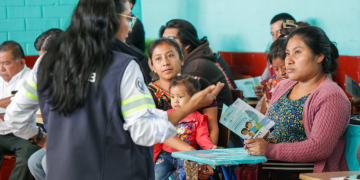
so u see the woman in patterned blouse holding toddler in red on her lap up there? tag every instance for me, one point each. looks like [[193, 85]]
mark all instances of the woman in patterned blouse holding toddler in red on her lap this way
[[166, 60]]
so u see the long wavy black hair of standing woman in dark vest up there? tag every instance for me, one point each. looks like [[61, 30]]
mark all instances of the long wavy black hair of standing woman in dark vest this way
[[84, 48]]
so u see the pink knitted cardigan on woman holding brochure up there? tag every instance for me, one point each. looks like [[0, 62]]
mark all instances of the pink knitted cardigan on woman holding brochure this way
[[326, 116]]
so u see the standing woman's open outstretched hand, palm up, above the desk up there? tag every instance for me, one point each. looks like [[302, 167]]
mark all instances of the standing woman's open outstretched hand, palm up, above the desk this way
[[206, 96]]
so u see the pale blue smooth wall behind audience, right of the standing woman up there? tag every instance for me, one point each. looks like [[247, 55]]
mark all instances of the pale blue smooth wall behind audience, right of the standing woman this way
[[244, 26]]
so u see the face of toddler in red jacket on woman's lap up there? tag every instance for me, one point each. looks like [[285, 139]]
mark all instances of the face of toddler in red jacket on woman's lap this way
[[179, 96]]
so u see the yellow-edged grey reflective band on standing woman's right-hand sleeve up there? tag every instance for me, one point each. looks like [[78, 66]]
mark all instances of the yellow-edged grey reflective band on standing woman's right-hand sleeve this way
[[137, 103]]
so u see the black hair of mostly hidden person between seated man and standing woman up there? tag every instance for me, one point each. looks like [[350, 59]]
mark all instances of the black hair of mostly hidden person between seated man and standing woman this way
[[44, 41]]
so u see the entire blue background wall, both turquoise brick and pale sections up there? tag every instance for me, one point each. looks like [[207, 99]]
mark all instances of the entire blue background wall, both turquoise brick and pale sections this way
[[230, 25]]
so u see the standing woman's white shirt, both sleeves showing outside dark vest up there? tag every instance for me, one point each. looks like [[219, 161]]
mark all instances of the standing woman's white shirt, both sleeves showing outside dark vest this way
[[146, 124]]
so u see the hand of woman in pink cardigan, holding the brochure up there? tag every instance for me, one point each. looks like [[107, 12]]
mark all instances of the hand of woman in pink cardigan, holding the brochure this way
[[255, 146]]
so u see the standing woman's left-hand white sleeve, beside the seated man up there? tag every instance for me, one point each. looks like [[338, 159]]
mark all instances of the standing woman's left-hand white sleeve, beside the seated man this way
[[20, 115]]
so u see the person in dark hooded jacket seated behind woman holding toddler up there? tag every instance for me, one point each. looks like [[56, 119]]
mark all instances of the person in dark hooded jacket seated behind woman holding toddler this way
[[198, 60]]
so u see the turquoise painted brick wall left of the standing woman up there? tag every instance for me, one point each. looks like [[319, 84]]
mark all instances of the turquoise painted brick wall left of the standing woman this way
[[24, 20]]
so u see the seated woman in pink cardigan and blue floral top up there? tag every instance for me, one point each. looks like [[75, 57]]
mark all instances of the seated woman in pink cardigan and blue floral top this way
[[311, 112]]
